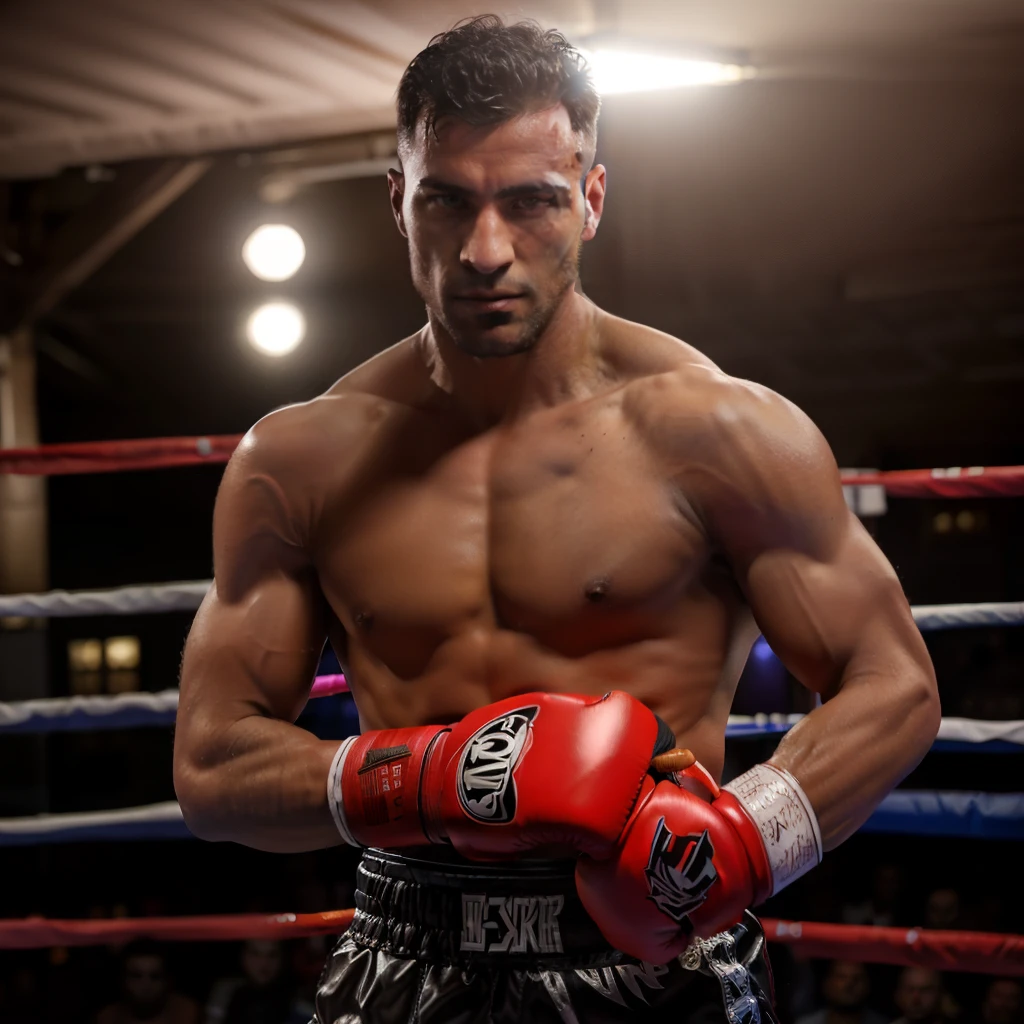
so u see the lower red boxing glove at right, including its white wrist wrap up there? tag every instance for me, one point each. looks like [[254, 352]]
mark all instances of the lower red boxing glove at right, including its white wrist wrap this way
[[694, 858]]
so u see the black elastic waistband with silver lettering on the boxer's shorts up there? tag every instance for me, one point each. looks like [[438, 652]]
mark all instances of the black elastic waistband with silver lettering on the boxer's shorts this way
[[524, 915]]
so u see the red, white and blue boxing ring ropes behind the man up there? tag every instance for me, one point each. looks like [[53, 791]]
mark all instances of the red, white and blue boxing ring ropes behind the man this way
[[918, 813]]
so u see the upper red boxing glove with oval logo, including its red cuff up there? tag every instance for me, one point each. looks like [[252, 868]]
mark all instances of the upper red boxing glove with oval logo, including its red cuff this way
[[542, 774]]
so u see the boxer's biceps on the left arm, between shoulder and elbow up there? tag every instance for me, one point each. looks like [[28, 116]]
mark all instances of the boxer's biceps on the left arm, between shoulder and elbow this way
[[258, 654]]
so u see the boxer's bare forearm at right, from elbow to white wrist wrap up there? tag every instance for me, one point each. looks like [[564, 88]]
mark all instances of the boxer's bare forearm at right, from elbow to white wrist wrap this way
[[848, 754]]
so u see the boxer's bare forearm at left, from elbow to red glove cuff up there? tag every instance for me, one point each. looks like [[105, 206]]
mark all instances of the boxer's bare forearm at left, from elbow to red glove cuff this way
[[262, 783]]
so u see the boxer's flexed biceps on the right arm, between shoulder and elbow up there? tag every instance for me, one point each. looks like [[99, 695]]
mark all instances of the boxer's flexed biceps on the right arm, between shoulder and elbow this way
[[823, 613]]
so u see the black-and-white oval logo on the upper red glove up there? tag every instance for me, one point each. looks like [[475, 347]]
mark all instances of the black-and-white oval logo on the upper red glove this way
[[487, 789]]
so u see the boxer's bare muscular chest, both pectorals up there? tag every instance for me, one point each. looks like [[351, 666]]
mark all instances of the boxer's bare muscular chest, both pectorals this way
[[564, 530]]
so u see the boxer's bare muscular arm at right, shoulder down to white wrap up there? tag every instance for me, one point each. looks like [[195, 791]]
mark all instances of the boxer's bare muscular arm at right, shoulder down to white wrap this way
[[827, 601]]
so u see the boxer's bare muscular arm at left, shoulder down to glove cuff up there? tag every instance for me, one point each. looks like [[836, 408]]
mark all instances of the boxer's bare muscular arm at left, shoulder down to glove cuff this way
[[243, 772]]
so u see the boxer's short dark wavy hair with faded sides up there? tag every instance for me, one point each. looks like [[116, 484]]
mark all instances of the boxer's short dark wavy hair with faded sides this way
[[485, 72]]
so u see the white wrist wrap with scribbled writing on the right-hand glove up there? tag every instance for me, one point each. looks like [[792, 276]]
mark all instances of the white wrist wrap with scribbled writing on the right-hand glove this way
[[786, 820]]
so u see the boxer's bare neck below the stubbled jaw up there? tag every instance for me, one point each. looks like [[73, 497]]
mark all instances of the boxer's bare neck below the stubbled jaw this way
[[562, 366]]
